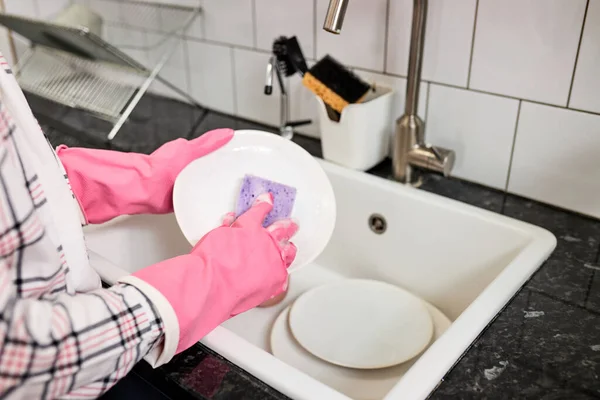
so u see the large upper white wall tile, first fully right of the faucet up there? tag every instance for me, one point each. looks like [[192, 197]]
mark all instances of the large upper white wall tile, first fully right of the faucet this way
[[527, 48]]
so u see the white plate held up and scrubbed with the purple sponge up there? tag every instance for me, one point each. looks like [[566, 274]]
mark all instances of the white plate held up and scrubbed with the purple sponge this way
[[208, 188]]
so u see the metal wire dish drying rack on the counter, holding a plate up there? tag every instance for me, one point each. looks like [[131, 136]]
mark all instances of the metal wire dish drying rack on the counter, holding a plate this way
[[75, 66]]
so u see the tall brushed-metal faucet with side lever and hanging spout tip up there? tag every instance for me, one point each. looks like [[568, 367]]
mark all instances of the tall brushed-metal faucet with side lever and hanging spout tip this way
[[410, 149]]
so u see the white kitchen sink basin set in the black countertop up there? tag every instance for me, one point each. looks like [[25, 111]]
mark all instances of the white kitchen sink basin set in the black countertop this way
[[466, 261]]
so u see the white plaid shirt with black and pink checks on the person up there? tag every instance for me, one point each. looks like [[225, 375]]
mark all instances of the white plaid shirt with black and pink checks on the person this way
[[54, 343]]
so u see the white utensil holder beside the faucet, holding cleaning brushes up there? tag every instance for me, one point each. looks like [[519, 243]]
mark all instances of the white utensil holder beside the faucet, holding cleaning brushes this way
[[361, 138]]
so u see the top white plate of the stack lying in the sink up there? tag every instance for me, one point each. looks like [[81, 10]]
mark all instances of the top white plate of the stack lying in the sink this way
[[359, 323]]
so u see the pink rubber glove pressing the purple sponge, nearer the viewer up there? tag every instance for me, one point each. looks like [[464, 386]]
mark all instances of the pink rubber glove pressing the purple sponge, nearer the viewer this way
[[231, 269]]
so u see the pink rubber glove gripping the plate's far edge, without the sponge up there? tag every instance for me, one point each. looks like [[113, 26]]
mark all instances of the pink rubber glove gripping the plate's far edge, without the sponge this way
[[111, 183]]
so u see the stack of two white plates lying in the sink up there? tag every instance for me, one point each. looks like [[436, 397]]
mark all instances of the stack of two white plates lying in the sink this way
[[356, 336]]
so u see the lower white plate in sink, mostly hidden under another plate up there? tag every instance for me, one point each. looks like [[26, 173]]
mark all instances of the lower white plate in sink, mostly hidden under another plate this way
[[358, 384]]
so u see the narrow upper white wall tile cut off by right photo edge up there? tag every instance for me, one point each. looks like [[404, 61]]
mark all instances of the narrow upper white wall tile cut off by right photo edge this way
[[586, 85]]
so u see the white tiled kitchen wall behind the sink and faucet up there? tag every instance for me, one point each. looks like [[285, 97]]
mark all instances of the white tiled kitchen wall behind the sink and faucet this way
[[482, 57]]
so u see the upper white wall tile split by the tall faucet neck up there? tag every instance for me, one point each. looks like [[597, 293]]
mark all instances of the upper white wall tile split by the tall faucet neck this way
[[448, 36]]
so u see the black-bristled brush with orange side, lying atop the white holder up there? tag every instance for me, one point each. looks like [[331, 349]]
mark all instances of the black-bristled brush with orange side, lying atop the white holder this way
[[335, 84]]
